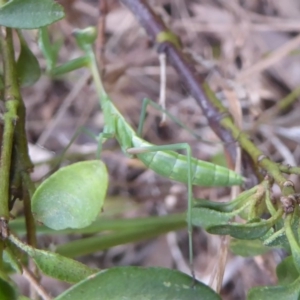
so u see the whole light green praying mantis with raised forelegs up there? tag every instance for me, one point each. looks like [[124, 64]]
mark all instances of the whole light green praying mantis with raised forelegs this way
[[162, 159]]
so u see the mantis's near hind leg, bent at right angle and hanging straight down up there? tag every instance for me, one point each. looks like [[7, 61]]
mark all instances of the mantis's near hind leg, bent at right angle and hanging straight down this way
[[187, 148]]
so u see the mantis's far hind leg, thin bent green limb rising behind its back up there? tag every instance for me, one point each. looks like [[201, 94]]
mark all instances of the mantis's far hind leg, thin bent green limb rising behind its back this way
[[156, 106]]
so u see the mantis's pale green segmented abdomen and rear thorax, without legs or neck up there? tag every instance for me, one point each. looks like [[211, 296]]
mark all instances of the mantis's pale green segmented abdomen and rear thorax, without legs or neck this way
[[169, 164]]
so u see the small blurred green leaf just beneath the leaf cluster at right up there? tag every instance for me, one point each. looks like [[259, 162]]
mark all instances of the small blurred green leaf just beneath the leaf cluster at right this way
[[248, 248]]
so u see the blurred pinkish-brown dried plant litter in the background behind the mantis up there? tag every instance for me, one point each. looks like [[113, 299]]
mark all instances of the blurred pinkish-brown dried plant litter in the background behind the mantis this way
[[249, 54]]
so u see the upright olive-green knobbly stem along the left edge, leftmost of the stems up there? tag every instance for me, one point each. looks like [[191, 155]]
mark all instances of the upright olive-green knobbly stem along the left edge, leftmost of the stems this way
[[11, 99]]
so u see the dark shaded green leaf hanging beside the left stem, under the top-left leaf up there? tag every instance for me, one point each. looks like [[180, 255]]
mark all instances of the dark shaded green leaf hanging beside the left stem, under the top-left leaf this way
[[28, 67]]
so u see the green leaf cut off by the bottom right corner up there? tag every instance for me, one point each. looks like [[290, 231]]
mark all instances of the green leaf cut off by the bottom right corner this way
[[286, 292]]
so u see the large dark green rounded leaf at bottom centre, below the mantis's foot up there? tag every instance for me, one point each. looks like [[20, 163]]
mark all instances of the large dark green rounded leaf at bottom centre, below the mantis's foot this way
[[136, 283]]
